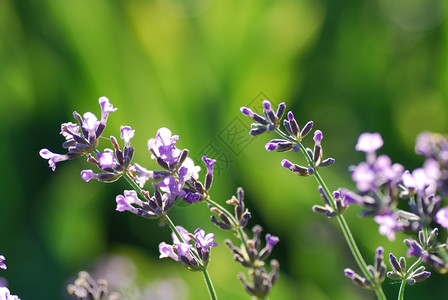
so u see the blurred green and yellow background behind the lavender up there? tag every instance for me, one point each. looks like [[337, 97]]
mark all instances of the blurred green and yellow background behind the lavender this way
[[351, 66]]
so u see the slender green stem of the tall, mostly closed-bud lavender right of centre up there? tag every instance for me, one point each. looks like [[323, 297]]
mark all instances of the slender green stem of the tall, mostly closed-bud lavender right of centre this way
[[341, 221]]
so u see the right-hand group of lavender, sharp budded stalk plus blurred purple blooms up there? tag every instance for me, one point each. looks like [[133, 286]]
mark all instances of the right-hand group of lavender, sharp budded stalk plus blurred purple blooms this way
[[380, 187]]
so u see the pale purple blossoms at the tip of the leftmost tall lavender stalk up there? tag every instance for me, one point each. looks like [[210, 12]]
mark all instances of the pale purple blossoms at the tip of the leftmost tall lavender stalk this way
[[82, 139]]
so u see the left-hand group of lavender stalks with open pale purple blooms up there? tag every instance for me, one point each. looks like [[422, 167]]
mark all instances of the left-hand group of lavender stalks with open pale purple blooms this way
[[176, 180]]
